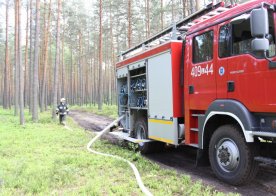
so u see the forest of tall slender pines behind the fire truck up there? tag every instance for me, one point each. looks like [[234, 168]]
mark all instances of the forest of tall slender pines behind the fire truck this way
[[52, 48]]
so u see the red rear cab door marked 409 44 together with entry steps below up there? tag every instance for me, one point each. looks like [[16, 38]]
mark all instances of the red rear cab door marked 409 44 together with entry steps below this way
[[200, 83]]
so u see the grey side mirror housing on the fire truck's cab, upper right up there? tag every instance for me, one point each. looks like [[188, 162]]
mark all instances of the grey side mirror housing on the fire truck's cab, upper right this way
[[259, 29]]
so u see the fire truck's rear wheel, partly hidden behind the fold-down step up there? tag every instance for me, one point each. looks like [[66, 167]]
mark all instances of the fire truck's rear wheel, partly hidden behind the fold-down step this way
[[141, 131]]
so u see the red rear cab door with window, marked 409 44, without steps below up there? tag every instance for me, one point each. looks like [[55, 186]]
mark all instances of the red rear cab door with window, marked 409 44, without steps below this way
[[201, 69]]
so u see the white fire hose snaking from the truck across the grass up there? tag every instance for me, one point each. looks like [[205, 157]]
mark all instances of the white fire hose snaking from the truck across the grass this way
[[135, 170]]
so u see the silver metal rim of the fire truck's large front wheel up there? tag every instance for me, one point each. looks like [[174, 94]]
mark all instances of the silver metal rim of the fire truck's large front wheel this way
[[227, 155]]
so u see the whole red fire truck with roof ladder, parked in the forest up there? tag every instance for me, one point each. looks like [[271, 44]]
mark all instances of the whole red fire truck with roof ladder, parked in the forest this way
[[208, 81]]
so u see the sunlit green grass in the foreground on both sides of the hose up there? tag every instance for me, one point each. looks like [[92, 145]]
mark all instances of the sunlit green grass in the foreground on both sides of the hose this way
[[45, 158]]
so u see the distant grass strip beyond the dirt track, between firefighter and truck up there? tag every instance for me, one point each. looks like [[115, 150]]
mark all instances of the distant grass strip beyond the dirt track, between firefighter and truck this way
[[107, 110]]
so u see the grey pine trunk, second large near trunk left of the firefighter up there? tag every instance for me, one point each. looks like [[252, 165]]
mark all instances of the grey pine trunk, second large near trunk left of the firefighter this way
[[36, 56]]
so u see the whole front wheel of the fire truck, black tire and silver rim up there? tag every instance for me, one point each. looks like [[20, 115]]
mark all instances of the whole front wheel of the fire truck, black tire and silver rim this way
[[231, 158]]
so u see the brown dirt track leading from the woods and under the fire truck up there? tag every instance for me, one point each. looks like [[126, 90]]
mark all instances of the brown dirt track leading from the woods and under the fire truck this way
[[182, 161]]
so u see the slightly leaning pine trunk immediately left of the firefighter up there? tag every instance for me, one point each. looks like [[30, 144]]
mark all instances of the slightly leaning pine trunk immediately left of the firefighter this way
[[54, 101]]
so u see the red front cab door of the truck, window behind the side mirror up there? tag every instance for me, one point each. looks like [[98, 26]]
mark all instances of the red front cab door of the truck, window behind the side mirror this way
[[250, 80]]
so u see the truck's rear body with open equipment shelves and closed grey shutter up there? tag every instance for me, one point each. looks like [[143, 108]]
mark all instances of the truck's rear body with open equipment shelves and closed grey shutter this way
[[154, 94]]
